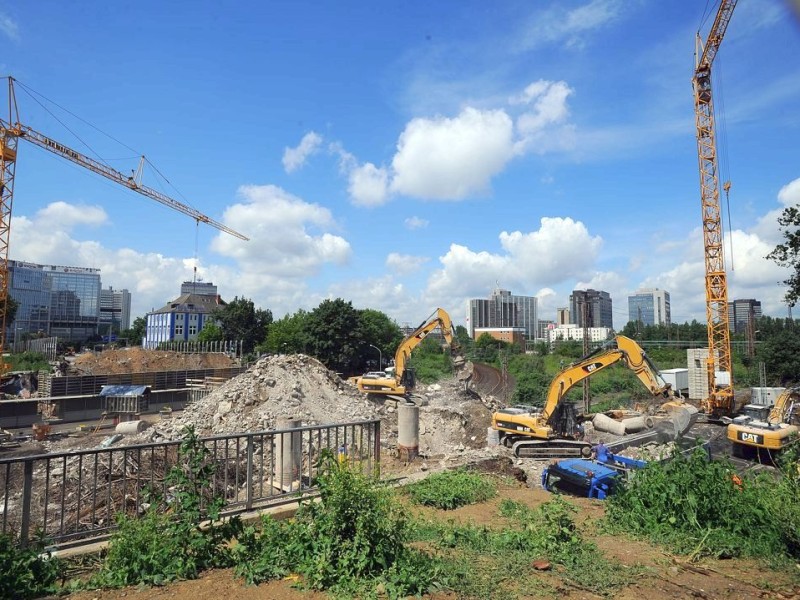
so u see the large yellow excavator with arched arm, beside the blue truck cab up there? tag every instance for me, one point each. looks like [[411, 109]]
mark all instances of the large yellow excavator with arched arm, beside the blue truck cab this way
[[555, 431]]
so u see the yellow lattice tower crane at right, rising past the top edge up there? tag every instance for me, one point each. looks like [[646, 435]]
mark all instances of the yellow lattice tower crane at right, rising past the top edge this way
[[719, 399]]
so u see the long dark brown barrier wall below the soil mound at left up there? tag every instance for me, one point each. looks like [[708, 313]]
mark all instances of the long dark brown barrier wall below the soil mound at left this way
[[89, 385]]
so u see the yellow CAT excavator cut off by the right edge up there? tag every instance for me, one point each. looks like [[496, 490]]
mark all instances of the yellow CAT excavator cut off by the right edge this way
[[751, 436]]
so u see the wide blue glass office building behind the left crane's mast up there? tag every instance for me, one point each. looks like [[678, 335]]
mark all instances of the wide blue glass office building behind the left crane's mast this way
[[54, 300]]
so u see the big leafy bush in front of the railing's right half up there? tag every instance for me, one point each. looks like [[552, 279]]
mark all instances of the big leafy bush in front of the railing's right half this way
[[352, 542]]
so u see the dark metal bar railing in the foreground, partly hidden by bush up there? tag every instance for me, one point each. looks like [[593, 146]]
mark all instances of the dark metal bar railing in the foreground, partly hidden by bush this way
[[74, 498]]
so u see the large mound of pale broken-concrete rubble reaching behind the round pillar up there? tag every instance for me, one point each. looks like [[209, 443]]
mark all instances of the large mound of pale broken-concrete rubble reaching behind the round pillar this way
[[299, 387]]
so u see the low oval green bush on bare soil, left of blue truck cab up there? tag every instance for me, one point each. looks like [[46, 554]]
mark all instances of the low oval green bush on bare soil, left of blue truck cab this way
[[452, 489]]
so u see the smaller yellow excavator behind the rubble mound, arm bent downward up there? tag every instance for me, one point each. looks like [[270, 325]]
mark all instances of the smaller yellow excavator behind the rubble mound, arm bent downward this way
[[398, 381]]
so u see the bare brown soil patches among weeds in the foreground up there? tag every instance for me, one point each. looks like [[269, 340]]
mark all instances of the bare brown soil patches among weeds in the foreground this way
[[663, 576]]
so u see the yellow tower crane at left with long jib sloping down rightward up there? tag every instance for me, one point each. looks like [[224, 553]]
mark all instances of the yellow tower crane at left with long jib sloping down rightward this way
[[11, 132]]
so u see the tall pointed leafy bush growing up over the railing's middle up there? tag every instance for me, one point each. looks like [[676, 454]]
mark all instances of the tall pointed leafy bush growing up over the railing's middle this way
[[168, 542]]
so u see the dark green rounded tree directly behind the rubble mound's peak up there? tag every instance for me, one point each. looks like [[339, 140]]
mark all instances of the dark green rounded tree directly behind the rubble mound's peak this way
[[332, 331]]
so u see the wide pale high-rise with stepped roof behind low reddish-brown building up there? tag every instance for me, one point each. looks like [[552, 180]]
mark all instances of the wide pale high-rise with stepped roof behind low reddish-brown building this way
[[503, 309]]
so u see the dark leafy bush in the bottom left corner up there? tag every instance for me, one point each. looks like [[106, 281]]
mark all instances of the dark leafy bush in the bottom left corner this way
[[27, 572]]
